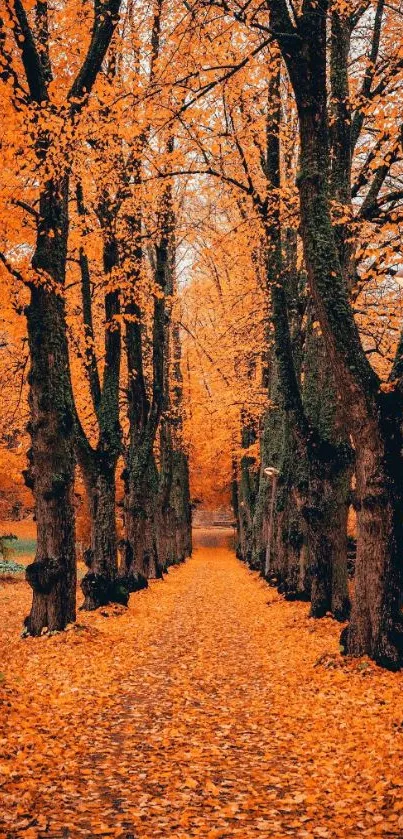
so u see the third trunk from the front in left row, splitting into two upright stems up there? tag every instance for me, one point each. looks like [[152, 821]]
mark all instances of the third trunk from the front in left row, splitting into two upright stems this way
[[144, 414]]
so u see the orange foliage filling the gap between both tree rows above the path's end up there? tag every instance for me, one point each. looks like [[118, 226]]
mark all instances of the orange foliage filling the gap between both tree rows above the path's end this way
[[223, 341]]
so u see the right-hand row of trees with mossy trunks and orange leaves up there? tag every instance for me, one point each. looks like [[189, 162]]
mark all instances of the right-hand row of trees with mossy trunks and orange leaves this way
[[307, 140]]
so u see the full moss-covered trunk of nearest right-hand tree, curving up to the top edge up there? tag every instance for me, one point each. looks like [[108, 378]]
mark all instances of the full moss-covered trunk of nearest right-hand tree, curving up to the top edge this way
[[371, 417]]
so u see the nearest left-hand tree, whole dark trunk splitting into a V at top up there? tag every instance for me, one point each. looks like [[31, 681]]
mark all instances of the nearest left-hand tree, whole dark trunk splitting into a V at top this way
[[51, 472]]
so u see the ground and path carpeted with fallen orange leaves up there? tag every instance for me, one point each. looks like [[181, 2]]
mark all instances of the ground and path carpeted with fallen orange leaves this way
[[209, 708]]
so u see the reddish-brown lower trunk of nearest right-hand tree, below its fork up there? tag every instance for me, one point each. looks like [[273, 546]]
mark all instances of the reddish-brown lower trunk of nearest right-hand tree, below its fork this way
[[376, 625]]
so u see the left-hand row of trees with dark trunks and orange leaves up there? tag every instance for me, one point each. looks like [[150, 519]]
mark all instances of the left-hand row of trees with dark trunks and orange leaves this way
[[105, 379]]
